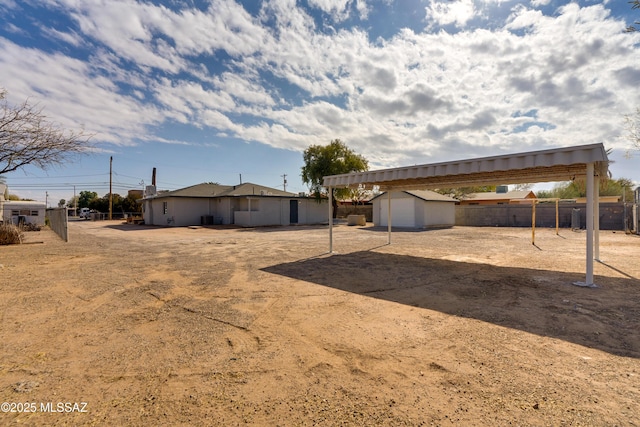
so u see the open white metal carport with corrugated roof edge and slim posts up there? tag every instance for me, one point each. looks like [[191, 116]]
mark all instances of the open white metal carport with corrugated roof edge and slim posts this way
[[561, 164]]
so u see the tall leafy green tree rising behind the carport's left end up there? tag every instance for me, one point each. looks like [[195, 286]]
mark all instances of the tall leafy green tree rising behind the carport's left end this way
[[333, 159]]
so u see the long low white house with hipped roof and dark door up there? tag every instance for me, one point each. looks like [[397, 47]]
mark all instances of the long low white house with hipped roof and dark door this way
[[246, 205]]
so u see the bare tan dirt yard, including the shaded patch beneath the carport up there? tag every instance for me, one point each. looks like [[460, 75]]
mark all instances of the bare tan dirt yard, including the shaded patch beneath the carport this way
[[224, 326]]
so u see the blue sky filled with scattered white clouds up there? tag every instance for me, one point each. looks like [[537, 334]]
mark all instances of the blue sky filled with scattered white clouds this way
[[234, 91]]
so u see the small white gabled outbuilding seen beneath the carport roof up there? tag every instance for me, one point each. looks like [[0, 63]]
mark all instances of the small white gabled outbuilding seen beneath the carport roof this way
[[414, 209]]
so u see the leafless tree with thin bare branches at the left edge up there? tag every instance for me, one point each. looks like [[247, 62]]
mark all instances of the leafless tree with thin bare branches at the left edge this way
[[28, 138]]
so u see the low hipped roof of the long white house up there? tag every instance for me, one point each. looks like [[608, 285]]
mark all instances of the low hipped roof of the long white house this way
[[207, 190]]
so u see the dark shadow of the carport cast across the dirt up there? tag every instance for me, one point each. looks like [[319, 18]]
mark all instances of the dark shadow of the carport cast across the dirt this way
[[537, 301]]
